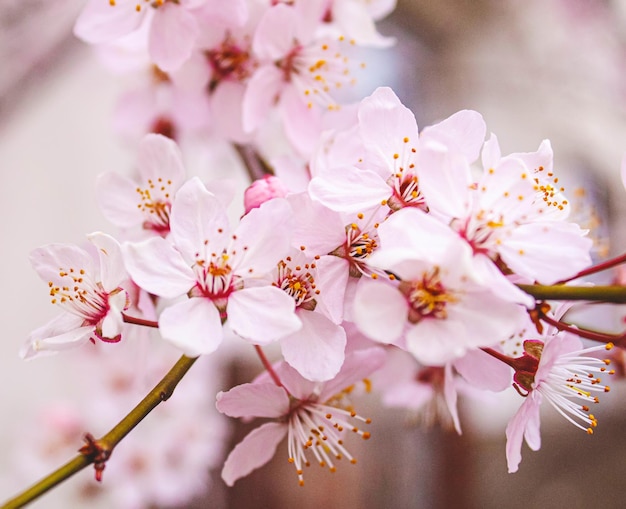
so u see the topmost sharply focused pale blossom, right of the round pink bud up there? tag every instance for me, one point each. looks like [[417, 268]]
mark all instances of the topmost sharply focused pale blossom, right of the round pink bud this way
[[379, 166]]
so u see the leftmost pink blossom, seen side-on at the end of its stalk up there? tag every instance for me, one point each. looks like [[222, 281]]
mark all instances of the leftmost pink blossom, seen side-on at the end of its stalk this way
[[92, 298]]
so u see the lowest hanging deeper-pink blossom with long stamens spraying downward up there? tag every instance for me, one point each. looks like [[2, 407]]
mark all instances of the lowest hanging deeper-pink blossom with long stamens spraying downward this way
[[311, 415]]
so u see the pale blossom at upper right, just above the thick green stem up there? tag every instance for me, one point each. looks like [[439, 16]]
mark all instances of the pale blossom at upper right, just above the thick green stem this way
[[504, 218]]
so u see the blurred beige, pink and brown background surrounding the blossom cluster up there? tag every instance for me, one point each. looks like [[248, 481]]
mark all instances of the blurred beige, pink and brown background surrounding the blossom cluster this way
[[536, 69]]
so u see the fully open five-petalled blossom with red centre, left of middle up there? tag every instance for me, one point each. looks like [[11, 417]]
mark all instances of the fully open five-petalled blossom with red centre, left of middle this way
[[219, 272]]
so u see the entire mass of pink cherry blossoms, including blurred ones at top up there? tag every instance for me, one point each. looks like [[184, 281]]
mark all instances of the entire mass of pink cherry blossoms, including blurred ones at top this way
[[369, 250]]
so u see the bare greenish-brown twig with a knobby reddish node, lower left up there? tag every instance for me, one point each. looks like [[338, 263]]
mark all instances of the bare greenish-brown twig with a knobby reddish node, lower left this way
[[161, 392]]
